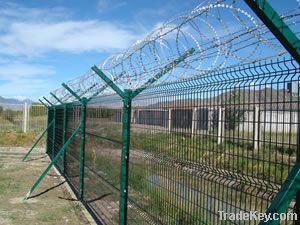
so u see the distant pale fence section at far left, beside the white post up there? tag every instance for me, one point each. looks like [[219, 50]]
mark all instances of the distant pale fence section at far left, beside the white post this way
[[11, 117]]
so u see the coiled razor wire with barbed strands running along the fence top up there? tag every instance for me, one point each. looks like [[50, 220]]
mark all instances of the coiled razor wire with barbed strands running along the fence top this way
[[221, 33]]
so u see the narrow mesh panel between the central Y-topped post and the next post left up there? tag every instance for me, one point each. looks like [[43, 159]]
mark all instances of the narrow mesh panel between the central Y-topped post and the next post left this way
[[102, 157]]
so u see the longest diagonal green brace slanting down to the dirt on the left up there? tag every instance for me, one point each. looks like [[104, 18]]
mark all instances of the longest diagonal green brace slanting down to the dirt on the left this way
[[53, 162]]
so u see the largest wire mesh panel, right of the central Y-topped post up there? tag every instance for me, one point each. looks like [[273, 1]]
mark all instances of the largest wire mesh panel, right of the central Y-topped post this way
[[227, 144]]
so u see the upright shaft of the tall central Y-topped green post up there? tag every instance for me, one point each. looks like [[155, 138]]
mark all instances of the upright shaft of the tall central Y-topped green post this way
[[125, 157]]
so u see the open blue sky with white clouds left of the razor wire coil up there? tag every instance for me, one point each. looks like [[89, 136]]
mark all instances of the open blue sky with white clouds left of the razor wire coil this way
[[45, 43]]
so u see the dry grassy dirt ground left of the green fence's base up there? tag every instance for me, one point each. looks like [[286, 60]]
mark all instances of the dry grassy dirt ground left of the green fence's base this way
[[51, 202]]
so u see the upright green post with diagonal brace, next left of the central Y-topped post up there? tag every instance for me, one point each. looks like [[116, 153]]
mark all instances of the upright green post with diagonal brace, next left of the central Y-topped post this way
[[82, 147]]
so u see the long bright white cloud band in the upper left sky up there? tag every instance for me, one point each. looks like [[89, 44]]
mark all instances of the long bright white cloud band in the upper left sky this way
[[33, 39]]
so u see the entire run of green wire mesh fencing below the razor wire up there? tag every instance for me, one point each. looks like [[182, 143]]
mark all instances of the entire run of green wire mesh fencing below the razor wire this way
[[224, 141]]
